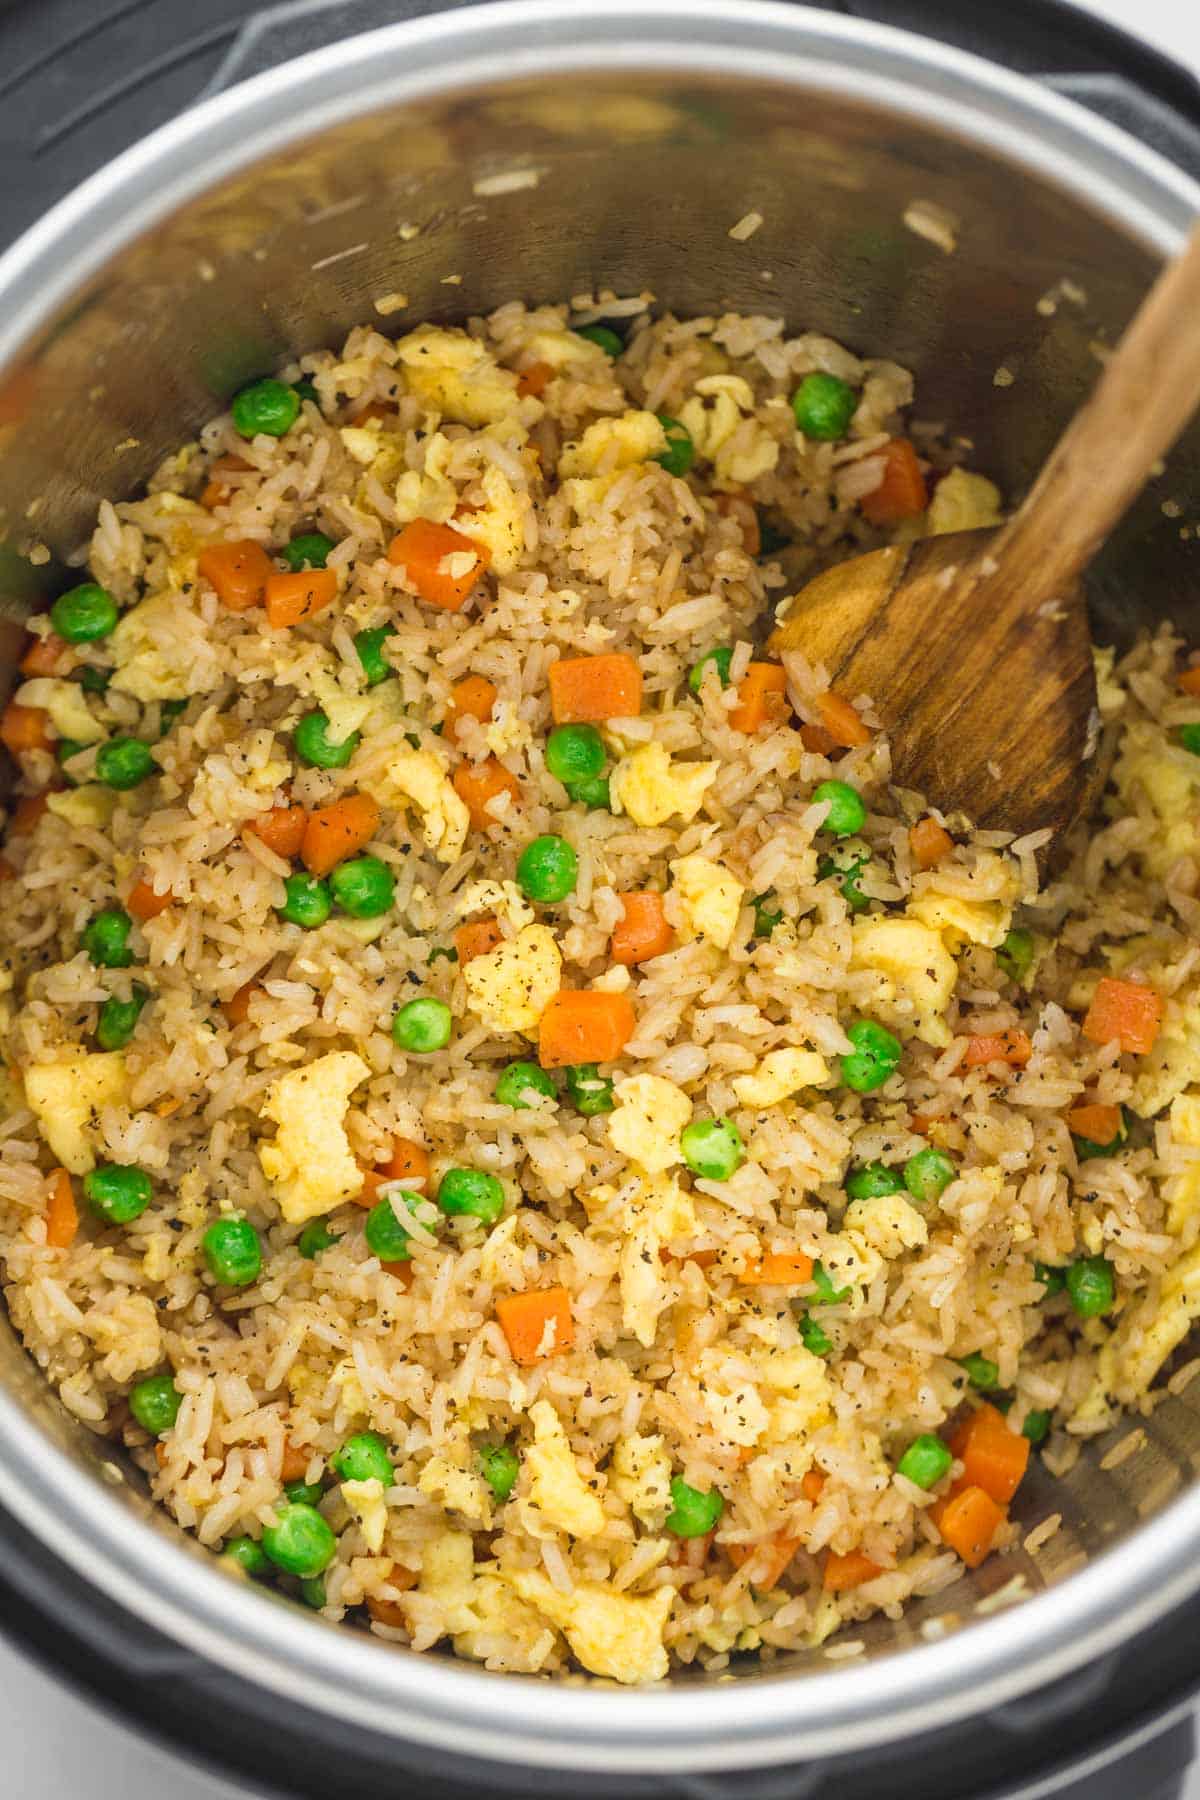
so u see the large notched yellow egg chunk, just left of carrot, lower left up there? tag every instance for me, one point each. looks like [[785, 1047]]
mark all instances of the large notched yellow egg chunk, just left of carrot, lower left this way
[[310, 1164]]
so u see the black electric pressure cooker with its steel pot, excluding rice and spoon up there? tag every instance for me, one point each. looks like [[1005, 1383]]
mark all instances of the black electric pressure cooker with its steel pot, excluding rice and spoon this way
[[983, 195]]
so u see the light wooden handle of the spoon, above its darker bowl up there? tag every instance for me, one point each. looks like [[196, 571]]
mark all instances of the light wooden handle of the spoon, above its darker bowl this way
[[1143, 400]]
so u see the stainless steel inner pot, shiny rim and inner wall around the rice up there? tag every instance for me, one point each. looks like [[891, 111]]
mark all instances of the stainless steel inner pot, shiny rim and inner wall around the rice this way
[[550, 152]]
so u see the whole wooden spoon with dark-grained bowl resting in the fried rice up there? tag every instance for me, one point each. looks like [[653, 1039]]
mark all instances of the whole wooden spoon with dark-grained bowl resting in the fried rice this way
[[974, 647]]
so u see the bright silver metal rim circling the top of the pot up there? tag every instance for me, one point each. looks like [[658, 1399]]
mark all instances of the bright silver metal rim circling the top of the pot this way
[[177, 1590]]
